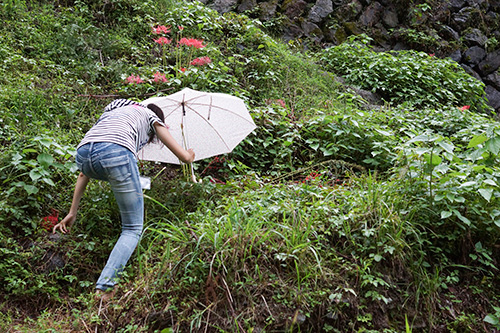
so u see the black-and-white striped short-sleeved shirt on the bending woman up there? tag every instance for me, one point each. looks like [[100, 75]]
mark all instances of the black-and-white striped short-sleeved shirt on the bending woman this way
[[127, 124]]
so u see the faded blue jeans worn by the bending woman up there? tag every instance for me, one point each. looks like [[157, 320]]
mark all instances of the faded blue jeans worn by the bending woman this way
[[118, 166]]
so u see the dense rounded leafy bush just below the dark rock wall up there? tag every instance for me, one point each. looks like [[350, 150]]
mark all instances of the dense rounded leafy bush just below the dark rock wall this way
[[408, 77]]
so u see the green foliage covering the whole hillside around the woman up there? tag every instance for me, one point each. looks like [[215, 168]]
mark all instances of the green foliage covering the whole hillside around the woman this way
[[332, 215]]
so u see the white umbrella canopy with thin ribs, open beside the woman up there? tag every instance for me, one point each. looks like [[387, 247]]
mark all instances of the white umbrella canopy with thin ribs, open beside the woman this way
[[210, 123]]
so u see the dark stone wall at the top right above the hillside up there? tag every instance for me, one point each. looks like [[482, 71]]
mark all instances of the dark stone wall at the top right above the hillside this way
[[468, 31]]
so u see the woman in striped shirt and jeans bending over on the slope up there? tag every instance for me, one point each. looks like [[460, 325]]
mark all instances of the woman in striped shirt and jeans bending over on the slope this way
[[109, 152]]
